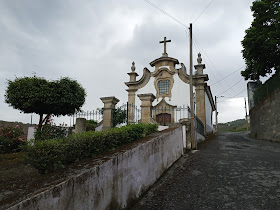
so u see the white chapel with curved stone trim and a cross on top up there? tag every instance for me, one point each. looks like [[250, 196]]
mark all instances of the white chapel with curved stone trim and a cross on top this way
[[165, 95]]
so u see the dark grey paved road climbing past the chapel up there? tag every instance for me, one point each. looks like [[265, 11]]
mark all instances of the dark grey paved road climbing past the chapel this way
[[231, 172]]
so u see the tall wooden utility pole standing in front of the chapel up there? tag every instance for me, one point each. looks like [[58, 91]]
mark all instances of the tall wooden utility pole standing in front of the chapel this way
[[193, 141]]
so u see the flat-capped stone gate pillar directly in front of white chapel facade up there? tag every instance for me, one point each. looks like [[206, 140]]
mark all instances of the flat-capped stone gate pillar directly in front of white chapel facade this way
[[146, 106]]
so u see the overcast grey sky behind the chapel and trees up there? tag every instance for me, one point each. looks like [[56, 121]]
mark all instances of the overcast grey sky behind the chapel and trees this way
[[95, 42]]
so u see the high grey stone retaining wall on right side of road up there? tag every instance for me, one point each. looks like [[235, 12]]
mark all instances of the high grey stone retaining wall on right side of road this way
[[265, 118]]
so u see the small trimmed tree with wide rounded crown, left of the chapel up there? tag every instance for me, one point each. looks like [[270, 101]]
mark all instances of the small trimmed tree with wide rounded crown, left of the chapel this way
[[43, 97]]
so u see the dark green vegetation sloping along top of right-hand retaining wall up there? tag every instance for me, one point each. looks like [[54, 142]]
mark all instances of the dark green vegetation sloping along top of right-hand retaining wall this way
[[267, 88]]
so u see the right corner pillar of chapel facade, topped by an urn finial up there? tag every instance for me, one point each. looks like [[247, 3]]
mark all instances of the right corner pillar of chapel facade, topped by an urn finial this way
[[200, 91]]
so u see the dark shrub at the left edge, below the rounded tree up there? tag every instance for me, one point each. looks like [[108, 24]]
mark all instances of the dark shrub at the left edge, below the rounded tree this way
[[11, 139]]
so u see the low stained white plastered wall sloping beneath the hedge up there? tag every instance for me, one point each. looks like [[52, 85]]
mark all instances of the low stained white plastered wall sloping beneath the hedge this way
[[118, 180]]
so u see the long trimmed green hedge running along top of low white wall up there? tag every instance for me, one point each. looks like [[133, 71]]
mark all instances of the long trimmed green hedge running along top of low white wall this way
[[48, 156]]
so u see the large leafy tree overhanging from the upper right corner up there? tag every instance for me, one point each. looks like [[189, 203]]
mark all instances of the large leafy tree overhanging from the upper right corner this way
[[262, 40]]
